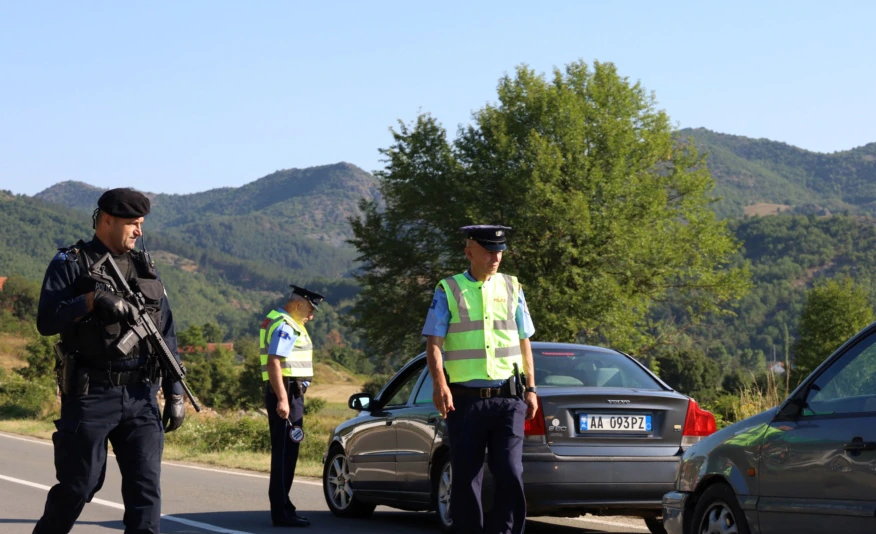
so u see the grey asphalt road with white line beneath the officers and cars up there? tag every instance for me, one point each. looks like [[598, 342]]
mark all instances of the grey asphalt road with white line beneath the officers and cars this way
[[202, 500]]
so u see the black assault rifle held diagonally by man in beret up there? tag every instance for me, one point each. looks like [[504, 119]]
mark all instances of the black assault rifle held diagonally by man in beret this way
[[106, 269]]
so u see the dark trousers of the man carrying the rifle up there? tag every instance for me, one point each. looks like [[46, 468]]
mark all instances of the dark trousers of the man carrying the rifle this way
[[129, 418]]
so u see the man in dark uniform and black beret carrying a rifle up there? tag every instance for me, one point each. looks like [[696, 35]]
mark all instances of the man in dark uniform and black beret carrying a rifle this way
[[108, 396]]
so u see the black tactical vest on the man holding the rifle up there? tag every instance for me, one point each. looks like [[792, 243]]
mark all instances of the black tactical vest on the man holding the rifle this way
[[92, 340]]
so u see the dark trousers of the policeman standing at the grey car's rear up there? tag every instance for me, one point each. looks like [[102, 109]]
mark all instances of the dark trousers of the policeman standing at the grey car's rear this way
[[496, 424]]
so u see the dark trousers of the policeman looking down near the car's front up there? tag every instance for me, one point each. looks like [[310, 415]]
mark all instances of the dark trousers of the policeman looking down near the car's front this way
[[284, 452]]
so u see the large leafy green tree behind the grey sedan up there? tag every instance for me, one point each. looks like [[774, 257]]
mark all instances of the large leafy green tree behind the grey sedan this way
[[609, 212]]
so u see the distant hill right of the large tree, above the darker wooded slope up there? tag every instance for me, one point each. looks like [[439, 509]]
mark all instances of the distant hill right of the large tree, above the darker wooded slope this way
[[752, 172]]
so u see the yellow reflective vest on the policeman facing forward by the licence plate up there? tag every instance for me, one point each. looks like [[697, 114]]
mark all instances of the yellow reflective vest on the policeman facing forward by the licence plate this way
[[482, 340]]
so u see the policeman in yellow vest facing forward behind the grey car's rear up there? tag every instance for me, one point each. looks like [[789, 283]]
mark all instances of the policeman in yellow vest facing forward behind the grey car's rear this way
[[477, 328]]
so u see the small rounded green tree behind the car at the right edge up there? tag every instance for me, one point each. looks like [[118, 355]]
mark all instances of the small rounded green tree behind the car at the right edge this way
[[835, 310]]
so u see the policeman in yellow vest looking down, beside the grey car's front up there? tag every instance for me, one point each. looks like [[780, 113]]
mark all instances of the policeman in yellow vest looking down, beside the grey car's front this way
[[287, 368]]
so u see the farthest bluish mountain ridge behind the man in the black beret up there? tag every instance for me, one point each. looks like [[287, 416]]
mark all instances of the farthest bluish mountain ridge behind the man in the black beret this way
[[291, 224]]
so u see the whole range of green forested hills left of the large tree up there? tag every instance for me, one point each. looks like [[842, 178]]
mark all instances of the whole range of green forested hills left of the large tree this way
[[225, 254]]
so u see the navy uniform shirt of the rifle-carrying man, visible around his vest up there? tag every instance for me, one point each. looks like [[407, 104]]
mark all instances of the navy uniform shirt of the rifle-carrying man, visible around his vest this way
[[62, 301]]
